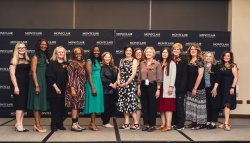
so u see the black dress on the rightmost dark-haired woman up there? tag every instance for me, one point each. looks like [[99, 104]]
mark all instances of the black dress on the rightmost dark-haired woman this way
[[226, 82]]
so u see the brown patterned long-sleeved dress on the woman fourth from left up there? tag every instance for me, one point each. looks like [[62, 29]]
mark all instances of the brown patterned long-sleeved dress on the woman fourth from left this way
[[77, 79]]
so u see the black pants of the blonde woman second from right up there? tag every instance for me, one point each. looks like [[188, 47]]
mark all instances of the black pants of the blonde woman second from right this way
[[212, 110]]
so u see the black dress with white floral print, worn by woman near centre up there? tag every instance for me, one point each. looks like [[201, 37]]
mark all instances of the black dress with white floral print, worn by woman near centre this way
[[127, 97]]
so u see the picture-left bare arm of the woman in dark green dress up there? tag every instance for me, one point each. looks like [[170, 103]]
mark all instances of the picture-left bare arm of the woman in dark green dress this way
[[34, 75]]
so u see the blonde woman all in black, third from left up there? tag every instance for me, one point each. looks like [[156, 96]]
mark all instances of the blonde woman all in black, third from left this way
[[57, 79]]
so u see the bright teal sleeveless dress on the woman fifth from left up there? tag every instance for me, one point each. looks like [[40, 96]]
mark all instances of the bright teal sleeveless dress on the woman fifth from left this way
[[94, 104]]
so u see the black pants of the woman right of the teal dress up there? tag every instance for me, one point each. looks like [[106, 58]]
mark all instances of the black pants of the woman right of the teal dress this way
[[109, 108]]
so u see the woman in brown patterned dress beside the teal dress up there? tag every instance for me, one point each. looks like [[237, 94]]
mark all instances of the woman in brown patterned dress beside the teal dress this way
[[75, 89]]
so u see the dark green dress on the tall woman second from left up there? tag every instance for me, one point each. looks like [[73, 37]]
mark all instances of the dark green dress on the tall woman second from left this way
[[38, 101]]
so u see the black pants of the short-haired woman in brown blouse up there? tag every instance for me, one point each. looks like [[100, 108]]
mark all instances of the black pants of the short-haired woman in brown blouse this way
[[148, 101]]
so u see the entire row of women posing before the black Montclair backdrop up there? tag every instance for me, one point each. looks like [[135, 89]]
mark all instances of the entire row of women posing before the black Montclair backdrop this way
[[143, 84]]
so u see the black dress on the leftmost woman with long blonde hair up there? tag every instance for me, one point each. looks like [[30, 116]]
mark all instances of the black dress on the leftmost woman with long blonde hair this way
[[22, 78]]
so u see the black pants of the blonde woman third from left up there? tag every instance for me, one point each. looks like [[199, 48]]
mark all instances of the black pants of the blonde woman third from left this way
[[57, 105]]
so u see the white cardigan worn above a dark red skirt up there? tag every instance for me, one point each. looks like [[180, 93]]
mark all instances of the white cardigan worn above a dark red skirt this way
[[169, 80]]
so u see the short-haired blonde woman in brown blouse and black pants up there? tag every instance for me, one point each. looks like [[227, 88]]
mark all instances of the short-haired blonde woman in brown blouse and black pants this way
[[149, 84]]
